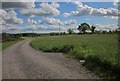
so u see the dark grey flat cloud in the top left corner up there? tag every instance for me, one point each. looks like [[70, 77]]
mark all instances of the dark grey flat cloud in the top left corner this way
[[19, 4]]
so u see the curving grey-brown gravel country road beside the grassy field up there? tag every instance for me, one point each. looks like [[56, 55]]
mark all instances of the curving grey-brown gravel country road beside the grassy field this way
[[21, 61]]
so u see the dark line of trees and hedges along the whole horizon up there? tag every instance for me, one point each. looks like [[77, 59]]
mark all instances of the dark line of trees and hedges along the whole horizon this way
[[82, 28]]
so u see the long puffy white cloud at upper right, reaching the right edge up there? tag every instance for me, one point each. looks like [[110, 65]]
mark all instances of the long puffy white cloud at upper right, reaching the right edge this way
[[87, 10]]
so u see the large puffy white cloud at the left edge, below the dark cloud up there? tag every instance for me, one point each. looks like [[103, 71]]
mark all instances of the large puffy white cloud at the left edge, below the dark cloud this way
[[8, 21]]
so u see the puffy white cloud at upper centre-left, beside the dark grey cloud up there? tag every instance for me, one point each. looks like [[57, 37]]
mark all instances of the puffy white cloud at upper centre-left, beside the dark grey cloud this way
[[45, 10]]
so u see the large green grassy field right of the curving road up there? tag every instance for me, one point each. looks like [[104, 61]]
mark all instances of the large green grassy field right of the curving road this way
[[98, 51]]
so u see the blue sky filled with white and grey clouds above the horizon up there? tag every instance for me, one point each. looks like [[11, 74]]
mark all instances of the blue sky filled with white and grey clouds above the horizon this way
[[46, 17]]
